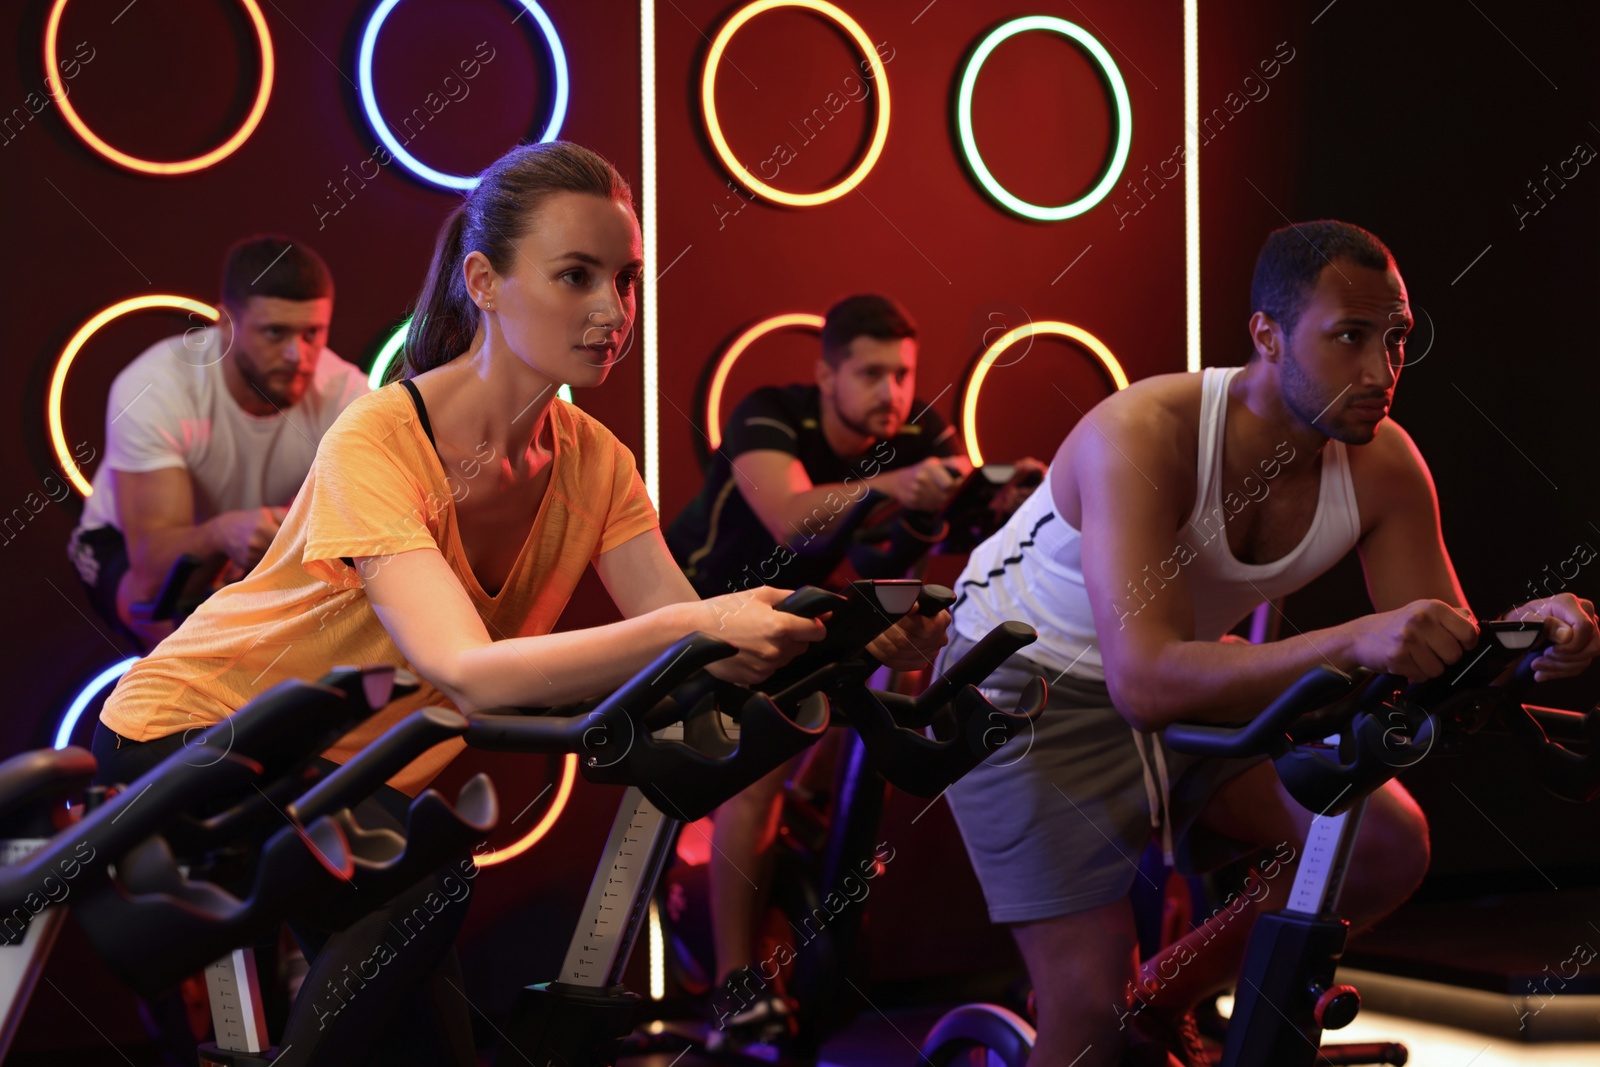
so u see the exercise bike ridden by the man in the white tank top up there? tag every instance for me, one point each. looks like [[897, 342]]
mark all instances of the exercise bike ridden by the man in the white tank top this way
[[1334, 740]]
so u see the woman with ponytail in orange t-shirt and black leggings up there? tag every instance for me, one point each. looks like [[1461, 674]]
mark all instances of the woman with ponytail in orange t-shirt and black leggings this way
[[442, 529]]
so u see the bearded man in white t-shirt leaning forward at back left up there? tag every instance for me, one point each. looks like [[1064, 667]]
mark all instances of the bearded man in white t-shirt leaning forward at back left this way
[[210, 434]]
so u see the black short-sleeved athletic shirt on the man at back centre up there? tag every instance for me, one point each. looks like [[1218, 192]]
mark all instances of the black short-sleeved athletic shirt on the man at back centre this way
[[724, 548]]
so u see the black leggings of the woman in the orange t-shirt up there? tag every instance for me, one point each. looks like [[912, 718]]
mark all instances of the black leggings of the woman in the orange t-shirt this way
[[386, 991]]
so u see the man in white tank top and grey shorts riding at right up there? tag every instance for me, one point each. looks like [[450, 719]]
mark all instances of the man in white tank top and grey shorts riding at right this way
[[1170, 513]]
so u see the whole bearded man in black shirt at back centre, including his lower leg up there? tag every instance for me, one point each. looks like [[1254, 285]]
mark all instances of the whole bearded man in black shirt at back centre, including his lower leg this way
[[799, 471]]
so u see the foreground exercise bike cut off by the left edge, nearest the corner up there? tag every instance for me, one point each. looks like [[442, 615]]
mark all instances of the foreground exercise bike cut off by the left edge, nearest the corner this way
[[111, 858]]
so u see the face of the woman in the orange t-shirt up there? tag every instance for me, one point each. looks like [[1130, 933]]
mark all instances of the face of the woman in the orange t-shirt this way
[[567, 306]]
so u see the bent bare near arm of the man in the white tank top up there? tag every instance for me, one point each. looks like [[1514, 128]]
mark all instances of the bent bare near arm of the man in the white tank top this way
[[1134, 569]]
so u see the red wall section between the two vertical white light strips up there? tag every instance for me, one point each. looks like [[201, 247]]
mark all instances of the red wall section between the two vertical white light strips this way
[[918, 228]]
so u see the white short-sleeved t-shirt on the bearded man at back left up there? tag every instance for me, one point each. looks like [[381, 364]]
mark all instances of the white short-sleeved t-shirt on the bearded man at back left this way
[[172, 409]]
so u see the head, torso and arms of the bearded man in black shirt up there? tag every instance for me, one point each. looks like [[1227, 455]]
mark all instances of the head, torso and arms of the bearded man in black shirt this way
[[802, 466]]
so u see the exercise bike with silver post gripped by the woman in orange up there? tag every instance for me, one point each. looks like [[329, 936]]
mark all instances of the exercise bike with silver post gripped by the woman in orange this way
[[692, 759]]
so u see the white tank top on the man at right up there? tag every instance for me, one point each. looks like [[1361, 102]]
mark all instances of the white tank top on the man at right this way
[[1031, 569]]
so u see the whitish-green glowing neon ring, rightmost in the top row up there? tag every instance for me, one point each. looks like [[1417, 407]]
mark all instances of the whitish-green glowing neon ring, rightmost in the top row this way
[[1124, 118]]
